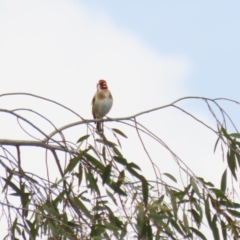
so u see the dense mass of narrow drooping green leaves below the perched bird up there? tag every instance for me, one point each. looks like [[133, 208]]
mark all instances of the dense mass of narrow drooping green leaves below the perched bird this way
[[100, 194]]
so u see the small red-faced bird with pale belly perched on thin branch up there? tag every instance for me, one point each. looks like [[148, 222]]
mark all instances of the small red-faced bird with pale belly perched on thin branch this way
[[101, 103]]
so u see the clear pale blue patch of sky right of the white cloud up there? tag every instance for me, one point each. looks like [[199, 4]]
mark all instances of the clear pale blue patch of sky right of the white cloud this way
[[206, 32]]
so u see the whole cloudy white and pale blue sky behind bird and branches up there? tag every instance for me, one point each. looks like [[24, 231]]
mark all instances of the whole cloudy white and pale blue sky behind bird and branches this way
[[150, 52]]
